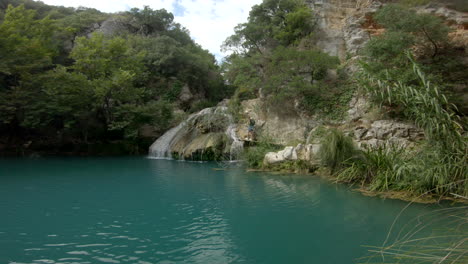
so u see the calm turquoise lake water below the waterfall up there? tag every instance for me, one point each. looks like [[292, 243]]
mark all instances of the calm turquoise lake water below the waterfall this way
[[138, 210]]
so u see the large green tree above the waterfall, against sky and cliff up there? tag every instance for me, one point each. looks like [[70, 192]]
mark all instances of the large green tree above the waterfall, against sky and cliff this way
[[270, 57]]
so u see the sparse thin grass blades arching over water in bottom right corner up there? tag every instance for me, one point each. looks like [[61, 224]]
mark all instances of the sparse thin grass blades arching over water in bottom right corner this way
[[439, 236]]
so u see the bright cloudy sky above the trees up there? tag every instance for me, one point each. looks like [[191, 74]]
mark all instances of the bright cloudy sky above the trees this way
[[210, 22]]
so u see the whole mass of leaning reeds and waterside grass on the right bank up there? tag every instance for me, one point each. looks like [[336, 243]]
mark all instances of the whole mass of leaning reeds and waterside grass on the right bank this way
[[439, 166]]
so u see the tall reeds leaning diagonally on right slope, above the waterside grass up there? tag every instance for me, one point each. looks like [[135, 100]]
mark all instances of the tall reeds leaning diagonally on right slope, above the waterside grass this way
[[423, 103]]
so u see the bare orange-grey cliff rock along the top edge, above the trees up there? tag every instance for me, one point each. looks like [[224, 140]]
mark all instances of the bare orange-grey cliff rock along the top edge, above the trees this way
[[344, 26]]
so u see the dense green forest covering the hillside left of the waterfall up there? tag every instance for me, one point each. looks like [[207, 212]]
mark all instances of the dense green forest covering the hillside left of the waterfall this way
[[82, 81]]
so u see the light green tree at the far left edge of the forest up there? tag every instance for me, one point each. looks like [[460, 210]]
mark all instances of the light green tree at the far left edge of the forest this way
[[26, 49]]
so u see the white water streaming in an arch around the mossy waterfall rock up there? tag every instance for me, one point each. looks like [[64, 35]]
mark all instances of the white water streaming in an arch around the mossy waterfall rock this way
[[161, 148]]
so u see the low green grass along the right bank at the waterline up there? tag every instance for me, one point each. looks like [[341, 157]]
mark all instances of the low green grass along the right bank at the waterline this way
[[426, 171]]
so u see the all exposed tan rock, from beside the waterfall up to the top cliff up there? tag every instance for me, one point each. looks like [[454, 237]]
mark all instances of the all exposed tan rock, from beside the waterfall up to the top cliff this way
[[343, 28]]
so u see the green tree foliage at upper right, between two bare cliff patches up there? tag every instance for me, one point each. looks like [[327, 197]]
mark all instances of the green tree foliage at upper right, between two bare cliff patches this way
[[404, 29]]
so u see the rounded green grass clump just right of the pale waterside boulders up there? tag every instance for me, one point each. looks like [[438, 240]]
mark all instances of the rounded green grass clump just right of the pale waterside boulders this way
[[336, 150]]
